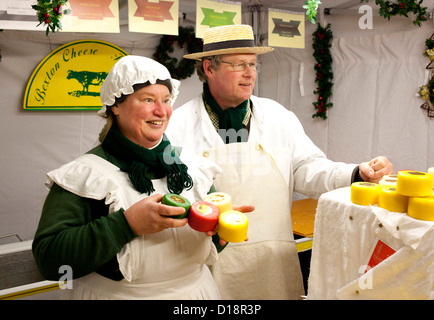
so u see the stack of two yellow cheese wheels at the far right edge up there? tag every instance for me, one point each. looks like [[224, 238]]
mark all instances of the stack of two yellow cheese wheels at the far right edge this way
[[418, 186]]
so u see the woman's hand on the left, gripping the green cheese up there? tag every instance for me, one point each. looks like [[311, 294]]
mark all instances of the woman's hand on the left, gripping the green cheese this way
[[149, 216]]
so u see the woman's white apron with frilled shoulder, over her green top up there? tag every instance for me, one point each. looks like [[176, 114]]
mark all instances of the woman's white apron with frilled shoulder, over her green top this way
[[170, 264]]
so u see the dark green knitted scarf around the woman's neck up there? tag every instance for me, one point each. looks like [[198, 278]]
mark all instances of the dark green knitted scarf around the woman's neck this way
[[139, 162]]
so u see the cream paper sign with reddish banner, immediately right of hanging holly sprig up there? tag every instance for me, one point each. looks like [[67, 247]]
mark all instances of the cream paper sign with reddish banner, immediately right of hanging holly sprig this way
[[91, 16]]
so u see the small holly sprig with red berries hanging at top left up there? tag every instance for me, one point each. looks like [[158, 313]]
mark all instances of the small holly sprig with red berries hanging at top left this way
[[50, 12]]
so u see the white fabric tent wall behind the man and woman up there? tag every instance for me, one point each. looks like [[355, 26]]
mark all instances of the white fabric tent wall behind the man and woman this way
[[376, 112]]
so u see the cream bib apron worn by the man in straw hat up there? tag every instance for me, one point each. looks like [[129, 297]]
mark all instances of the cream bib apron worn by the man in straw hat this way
[[267, 265]]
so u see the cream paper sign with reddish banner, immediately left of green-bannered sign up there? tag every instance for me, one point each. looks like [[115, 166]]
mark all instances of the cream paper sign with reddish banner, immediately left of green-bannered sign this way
[[153, 16]]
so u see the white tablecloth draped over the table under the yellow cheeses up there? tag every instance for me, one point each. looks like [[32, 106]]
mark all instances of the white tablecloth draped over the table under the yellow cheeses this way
[[344, 237]]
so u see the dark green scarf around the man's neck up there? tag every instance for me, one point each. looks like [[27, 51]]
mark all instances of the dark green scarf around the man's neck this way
[[231, 118]]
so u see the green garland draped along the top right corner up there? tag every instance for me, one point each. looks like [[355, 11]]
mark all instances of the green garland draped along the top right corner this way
[[402, 8]]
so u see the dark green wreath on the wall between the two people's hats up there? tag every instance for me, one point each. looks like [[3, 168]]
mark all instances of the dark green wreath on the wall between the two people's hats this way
[[185, 67]]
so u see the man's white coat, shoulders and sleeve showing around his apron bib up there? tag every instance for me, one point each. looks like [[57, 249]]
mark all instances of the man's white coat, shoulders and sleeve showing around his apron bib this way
[[304, 166]]
